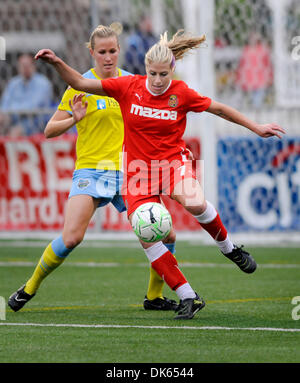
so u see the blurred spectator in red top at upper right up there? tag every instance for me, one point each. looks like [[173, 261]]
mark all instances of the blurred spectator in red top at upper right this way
[[255, 70]]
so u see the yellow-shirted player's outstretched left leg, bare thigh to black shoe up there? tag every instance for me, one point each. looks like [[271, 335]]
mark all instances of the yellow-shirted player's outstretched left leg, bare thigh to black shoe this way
[[79, 211]]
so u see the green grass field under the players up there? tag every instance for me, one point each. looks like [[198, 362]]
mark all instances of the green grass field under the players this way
[[90, 309]]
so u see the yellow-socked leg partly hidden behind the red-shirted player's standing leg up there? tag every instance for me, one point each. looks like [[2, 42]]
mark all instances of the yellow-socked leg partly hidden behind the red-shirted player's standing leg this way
[[154, 299]]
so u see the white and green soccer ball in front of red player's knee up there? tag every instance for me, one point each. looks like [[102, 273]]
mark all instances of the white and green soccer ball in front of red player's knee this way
[[151, 222]]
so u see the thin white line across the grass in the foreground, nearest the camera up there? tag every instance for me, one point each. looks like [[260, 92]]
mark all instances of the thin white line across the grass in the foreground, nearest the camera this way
[[151, 327]]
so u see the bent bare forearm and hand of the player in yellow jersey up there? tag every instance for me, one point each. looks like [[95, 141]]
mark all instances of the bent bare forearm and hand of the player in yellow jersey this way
[[61, 121]]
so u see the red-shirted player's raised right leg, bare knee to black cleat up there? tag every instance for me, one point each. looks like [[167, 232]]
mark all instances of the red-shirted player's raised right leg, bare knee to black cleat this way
[[188, 192]]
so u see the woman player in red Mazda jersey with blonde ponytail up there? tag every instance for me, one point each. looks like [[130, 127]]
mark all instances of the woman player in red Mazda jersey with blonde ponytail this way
[[154, 109]]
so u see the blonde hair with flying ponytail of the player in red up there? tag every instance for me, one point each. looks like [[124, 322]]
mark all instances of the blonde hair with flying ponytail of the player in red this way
[[168, 51]]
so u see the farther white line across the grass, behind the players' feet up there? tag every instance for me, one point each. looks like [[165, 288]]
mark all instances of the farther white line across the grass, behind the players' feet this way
[[182, 264]]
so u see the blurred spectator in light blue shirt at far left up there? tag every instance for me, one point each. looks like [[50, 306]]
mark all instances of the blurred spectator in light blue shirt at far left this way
[[28, 91]]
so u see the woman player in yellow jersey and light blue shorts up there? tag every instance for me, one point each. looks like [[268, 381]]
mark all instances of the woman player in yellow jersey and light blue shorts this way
[[97, 178]]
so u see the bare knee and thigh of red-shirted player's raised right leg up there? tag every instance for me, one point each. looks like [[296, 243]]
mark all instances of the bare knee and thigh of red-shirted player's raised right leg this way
[[189, 193]]
